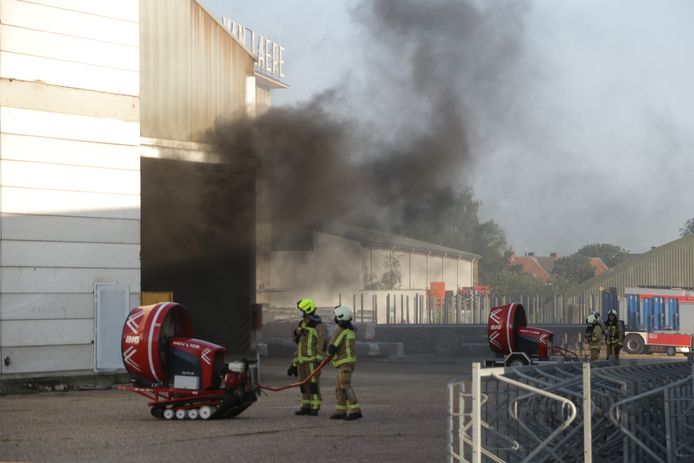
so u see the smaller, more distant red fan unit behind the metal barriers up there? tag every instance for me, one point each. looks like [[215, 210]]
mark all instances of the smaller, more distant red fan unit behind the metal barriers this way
[[518, 343]]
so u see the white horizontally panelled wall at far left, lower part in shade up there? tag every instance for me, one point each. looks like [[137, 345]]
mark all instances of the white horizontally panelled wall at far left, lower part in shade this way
[[70, 183]]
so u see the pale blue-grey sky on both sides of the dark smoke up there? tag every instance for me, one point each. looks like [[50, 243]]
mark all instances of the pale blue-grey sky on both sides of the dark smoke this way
[[590, 138]]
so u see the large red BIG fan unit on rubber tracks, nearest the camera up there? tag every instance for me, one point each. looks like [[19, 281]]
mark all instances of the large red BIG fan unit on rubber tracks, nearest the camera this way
[[182, 376]]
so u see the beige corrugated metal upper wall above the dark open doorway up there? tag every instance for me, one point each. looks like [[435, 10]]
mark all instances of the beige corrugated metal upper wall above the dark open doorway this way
[[190, 68]]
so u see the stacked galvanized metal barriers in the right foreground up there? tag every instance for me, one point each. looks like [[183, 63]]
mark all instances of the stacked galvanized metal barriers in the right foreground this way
[[573, 412]]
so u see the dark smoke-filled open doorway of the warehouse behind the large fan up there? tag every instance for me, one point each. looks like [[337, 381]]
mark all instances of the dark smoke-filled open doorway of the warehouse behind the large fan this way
[[198, 235]]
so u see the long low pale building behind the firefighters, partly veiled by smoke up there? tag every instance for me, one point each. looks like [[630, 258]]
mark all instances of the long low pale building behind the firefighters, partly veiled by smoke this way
[[344, 259]]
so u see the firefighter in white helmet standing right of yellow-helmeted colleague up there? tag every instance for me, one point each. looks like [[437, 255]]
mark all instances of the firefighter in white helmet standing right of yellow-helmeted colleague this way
[[342, 347]]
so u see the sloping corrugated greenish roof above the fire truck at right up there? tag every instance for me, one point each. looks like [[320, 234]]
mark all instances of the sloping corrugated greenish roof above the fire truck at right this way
[[669, 265]]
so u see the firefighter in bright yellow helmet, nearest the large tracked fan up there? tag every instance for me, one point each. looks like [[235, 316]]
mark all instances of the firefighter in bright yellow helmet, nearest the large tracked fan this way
[[309, 336]]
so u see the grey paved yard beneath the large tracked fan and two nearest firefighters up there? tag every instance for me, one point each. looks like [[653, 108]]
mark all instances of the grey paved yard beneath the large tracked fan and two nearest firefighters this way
[[404, 403]]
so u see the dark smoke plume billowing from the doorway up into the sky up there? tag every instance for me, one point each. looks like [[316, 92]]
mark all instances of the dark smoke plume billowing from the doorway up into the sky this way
[[397, 140]]
